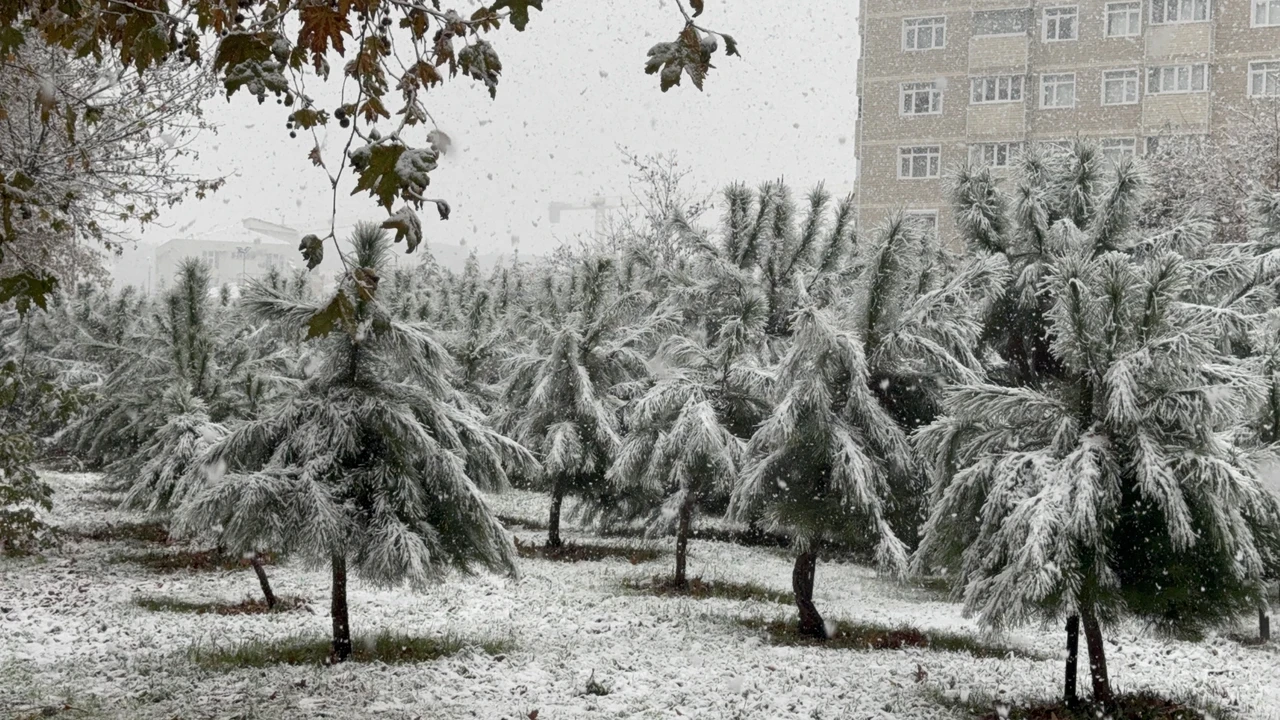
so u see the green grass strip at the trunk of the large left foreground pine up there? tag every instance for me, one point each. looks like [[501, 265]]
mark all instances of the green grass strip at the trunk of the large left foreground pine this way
[[391, 649]]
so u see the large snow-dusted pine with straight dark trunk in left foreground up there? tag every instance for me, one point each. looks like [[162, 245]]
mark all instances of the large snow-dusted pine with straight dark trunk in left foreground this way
[[374, 463]]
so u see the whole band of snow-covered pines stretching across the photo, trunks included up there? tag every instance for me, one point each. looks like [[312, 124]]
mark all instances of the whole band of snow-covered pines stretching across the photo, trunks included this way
[[1071, 418]]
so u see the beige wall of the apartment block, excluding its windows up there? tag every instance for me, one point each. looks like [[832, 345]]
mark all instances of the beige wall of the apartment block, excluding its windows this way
[[1228, 43]]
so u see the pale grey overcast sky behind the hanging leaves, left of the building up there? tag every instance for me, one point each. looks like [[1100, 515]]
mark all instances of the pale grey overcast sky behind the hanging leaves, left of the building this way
[[573, 90]]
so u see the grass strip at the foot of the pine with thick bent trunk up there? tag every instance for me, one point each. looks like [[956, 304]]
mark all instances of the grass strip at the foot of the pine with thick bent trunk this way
[[866, 636]]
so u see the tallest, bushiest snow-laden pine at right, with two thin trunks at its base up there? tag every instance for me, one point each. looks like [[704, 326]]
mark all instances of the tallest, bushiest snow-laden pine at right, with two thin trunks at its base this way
[[1108, 477]]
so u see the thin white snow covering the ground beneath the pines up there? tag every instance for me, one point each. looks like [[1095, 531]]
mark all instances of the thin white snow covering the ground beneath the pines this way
[[71, 635]]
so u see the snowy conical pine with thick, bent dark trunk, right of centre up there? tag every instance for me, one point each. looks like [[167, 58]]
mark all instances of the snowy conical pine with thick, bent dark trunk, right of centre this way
[[824, 461]]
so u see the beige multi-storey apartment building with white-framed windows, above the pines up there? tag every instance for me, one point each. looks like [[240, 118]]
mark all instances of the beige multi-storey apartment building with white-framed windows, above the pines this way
[[943, 81]]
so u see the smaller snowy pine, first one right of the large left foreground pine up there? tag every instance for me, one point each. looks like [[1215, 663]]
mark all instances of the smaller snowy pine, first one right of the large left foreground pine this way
[[561, 400]]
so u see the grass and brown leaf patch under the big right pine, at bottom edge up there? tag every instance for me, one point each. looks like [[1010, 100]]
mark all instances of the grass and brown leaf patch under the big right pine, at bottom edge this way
[[1135, 707]]
